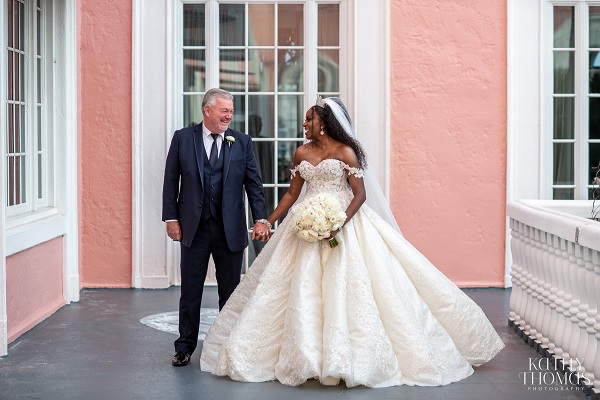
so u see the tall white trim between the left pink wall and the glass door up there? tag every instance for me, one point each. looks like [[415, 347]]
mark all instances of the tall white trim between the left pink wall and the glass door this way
[[152, 110]]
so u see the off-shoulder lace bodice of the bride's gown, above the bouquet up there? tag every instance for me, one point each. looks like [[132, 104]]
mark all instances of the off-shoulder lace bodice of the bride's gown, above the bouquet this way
[[330, 176]]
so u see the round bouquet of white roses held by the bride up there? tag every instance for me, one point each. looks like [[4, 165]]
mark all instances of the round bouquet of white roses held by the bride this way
[[315, 217]]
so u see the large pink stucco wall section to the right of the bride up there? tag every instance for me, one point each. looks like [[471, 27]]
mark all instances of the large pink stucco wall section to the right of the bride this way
[[448, 136]]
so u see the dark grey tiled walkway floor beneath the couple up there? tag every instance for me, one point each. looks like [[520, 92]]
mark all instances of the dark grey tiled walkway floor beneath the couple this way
[[98, 349]]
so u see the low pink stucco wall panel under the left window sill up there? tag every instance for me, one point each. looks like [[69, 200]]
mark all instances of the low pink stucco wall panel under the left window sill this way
[[34, 286]]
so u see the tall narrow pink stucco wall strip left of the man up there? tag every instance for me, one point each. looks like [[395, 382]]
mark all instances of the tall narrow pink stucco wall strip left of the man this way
[[105, 142]]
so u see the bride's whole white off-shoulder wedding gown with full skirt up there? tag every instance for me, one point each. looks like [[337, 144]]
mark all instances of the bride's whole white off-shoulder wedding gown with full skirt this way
[[372, 311]]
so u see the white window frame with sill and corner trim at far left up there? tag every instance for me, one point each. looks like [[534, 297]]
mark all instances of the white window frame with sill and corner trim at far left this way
[[28, 230]]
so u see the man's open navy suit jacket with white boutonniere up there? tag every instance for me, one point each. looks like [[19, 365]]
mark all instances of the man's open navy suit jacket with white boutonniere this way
[[183, 189]]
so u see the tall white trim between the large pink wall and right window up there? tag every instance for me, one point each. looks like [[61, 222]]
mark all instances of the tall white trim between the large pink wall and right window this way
[[524, 101]]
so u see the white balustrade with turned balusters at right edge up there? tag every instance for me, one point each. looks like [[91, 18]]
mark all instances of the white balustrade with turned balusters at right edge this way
[[555, 299]]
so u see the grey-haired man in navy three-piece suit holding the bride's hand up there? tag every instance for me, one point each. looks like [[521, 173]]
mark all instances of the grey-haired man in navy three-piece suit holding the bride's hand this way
[[207, 169]]
